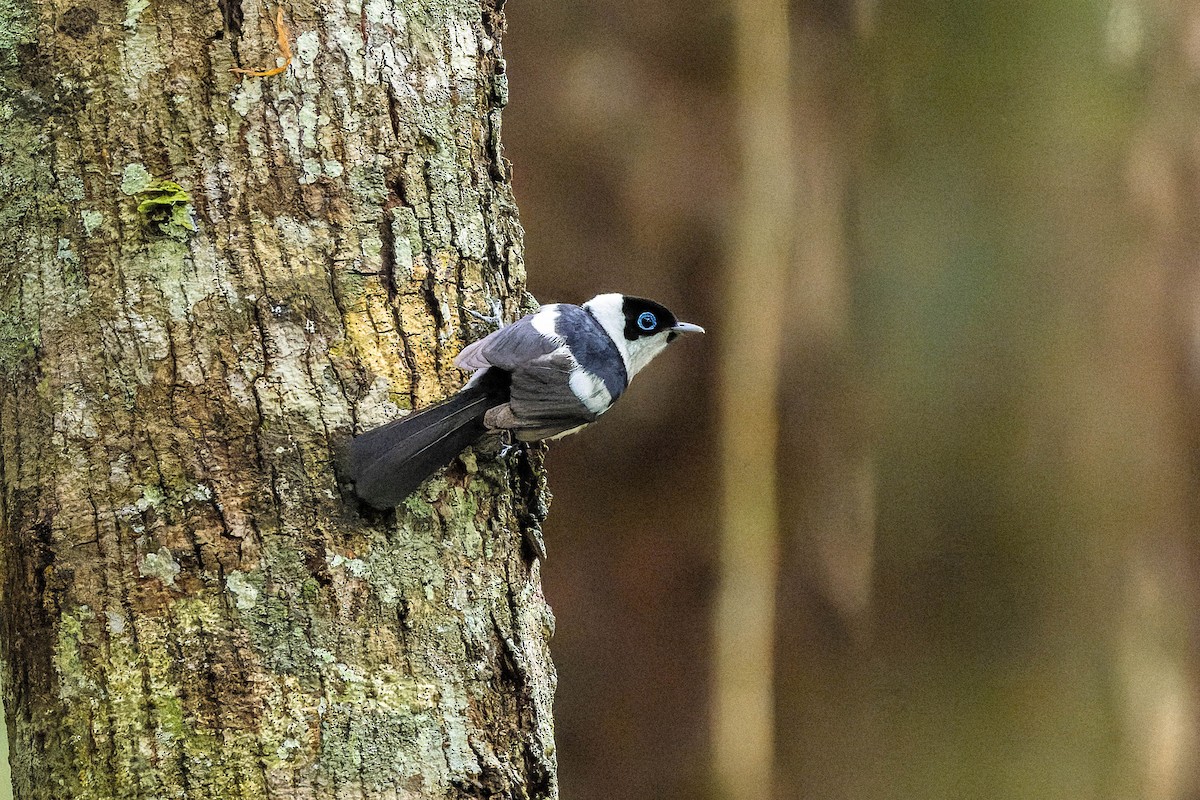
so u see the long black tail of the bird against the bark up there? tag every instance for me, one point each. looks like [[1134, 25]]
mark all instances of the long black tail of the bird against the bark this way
[[392, 461]]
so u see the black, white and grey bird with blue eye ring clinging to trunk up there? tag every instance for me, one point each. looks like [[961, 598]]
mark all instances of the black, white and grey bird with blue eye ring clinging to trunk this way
[[543, 377]]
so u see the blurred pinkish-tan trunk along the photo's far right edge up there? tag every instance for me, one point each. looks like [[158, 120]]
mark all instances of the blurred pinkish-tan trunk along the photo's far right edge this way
[[1161, 291]]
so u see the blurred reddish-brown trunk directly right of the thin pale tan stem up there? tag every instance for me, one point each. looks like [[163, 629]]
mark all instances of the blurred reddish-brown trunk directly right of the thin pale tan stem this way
[[827, 476]]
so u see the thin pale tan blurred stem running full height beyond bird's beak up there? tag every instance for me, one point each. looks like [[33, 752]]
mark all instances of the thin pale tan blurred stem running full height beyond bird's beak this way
[[761, 245]]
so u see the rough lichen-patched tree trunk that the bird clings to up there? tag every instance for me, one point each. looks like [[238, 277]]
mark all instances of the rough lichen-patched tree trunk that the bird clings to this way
[[208, 284]]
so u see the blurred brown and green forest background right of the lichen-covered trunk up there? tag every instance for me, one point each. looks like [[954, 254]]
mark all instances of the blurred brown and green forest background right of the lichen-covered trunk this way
[[941, 440]]
